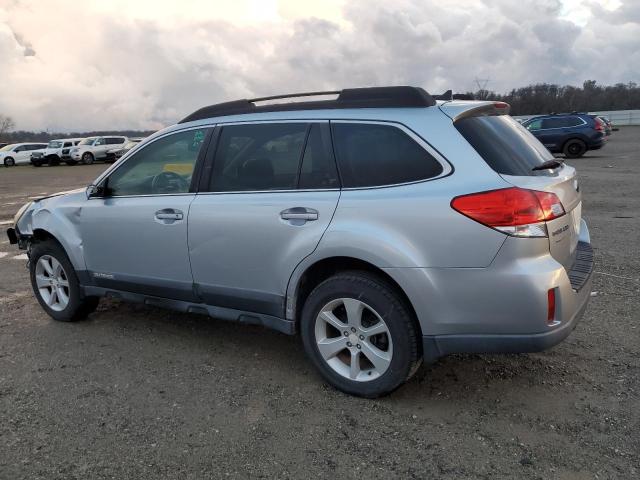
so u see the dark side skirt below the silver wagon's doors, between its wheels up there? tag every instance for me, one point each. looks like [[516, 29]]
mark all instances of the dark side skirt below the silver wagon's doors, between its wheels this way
[[276, 323]]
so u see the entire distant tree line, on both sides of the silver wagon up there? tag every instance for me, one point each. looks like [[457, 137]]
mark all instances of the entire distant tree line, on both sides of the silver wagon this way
[[535, 99]]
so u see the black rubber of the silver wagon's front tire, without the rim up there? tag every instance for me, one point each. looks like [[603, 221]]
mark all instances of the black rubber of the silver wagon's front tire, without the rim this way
[[74, 308]]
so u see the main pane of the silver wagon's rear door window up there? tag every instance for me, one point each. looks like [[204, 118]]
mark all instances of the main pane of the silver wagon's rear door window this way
[[258, 157]]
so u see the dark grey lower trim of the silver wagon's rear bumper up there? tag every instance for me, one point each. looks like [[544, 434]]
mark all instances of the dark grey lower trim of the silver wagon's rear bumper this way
[[573, 301]]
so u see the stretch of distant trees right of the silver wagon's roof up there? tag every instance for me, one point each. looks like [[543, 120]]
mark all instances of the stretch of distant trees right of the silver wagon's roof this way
[[545, 98]]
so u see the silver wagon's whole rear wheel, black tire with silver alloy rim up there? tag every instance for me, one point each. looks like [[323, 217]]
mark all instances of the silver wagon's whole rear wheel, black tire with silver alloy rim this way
[[396, 349]]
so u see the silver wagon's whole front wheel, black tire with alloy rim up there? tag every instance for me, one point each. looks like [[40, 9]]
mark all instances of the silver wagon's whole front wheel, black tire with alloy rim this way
[[77, 306]]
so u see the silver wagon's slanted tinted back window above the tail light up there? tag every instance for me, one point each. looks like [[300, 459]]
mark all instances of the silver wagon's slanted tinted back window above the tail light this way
[[506, 146]]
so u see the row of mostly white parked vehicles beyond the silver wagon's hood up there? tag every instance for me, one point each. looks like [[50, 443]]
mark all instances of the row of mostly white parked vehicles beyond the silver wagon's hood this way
[[67, 150]]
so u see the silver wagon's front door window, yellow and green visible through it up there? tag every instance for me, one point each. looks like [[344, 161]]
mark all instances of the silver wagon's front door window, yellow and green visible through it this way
[[162, 167]]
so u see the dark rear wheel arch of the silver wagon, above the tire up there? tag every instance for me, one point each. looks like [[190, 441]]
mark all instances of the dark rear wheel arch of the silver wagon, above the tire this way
[[305, 279]]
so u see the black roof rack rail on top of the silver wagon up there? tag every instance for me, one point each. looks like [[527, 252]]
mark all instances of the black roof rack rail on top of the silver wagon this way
[[370, 97]]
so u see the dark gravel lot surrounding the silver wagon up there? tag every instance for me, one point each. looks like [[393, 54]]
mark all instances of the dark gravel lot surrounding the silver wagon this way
[[136, 392]]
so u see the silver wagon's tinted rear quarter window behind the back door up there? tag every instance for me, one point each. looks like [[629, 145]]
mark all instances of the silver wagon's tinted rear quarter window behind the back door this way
[[371, 155]]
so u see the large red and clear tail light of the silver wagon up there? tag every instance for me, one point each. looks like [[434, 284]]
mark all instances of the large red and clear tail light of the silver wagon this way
[[514, 211]]
